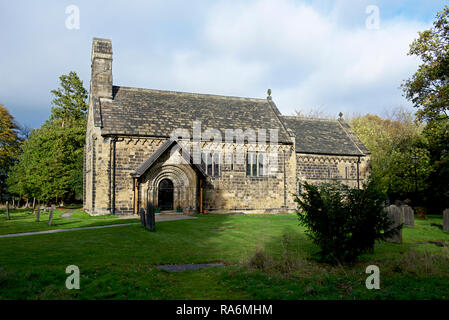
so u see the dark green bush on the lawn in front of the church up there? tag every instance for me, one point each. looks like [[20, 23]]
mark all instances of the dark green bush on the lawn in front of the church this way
[[342, 221]]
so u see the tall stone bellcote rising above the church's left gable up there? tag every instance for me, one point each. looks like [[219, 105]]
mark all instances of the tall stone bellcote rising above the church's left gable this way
[[101, 79]]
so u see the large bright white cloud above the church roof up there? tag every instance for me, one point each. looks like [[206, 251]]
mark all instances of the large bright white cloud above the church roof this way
[[317, 61]]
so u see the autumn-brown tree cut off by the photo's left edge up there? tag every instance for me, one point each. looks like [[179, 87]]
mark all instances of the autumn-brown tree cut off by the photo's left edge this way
[[10, 143]]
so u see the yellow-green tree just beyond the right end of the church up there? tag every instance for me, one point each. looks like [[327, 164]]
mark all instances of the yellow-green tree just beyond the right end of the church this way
[[393, 143]]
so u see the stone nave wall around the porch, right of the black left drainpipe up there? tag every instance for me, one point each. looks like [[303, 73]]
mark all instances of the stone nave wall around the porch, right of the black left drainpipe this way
[[232, 190]]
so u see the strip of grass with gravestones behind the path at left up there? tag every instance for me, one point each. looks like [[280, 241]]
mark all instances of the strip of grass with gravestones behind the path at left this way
[[22, 220]]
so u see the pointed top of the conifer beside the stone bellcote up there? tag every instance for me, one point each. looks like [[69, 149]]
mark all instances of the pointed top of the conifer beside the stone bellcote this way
[[70, 100]]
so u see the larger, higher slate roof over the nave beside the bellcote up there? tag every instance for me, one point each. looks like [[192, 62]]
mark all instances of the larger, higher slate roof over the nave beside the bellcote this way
[[147, 112]]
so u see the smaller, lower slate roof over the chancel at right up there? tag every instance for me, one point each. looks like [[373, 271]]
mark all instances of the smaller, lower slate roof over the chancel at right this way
[[322, 136]]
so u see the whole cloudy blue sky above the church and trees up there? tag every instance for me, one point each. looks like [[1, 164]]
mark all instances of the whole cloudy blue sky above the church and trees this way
[[327, 55]]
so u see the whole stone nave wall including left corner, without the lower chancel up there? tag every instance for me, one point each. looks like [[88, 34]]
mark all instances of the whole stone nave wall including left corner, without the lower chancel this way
[[232, 190]]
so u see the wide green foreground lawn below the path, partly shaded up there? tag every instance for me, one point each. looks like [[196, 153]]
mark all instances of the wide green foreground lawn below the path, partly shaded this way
[[119, 263]]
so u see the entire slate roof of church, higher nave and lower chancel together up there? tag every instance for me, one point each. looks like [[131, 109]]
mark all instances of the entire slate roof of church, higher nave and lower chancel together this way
[[156, 113]]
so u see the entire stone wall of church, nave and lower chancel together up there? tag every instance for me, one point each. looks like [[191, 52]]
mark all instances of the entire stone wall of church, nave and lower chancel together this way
[[232, 190]]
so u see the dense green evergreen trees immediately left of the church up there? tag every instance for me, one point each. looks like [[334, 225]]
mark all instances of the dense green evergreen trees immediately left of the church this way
[[51, 165]]
